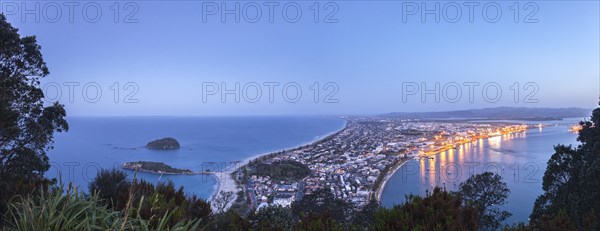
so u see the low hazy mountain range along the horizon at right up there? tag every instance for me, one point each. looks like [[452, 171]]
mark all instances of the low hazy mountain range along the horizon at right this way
[[500, 113]]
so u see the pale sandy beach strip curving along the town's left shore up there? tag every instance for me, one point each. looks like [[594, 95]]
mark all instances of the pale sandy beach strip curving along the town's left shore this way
[[226, 182]]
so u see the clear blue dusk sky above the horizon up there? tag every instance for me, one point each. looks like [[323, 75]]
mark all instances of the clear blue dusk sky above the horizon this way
[[213, 58]]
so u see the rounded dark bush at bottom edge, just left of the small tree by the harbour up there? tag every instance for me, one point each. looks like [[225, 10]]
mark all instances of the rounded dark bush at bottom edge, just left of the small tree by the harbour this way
[[438, 211]]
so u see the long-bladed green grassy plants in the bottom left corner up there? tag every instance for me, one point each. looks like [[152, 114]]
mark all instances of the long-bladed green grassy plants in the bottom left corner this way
[[71, 210]]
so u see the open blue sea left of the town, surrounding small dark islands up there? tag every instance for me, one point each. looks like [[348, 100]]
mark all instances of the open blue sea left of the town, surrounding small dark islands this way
[[206, 143]]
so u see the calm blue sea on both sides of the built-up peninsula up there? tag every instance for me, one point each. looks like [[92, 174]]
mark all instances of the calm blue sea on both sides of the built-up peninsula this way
[[216, 142]]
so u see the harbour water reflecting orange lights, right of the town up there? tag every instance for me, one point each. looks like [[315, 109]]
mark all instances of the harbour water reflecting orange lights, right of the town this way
[[520, 159]]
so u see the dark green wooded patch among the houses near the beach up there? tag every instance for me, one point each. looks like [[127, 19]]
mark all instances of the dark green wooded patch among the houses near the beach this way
[[285, 170]]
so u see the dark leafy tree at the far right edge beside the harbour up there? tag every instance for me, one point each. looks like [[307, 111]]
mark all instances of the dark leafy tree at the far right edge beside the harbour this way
[[572, 180]]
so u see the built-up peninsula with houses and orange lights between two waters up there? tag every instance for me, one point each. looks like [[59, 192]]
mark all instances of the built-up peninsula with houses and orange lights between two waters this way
[[356, 162]]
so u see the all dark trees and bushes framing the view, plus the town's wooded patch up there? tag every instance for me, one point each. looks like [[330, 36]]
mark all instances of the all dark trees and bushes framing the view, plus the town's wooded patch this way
[[29, 201]]
